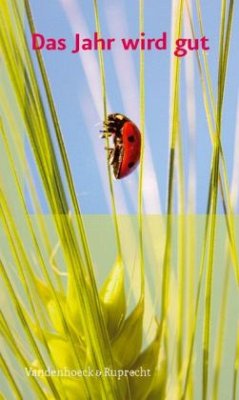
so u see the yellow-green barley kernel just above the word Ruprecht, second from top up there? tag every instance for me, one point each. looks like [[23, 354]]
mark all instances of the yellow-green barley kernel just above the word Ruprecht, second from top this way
[[127, 344]]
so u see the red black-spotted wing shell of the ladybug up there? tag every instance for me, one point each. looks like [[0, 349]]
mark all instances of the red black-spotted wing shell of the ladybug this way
[[131, 149]]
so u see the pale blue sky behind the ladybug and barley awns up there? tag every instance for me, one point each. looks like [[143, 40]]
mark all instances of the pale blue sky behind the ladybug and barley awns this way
[[75, 83]]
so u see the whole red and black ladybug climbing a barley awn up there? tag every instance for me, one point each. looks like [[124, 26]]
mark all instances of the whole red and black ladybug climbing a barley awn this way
[[125, 154]]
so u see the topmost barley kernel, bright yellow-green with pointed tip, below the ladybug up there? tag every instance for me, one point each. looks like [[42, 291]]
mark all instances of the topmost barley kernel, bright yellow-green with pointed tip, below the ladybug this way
[[113, 300]]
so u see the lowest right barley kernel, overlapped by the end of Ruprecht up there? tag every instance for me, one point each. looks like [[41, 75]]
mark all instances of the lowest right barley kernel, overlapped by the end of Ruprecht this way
[[148, 361]]
